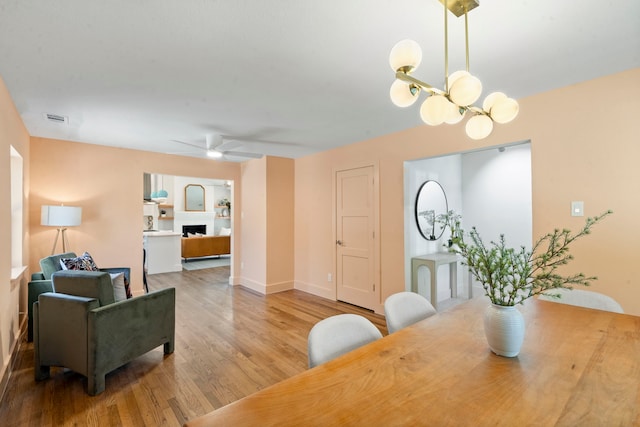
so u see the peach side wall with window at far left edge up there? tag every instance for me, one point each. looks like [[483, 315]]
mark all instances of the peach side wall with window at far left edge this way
[[12, 298]]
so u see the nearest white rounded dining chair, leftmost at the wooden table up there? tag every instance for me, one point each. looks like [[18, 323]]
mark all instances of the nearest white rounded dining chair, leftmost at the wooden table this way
[[337, 335]]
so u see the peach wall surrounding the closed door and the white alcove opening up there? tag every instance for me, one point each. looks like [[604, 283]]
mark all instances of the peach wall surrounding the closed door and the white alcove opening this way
[[580, 151]]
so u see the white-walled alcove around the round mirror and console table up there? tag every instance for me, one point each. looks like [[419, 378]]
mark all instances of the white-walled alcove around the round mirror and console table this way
[[490, 188]]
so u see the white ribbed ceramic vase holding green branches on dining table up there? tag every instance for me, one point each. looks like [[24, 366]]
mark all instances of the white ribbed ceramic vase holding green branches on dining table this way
[[504, 329]]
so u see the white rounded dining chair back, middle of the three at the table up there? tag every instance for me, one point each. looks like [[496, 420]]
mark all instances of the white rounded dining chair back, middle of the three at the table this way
[[406, 308]]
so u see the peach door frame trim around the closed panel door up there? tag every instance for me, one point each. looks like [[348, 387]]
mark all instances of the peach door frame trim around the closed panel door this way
[[376, 227]]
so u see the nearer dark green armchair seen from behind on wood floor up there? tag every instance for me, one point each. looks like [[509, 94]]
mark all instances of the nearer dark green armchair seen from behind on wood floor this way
[[83, 328]]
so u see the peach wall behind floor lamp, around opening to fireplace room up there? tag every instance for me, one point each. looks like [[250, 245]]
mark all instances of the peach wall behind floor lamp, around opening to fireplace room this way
[[107, 183]]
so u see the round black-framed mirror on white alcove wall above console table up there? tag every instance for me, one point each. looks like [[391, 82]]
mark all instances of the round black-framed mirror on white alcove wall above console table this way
[[430, 202]]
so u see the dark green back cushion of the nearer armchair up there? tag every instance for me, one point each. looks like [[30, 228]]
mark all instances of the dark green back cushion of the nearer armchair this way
[[89, 284]]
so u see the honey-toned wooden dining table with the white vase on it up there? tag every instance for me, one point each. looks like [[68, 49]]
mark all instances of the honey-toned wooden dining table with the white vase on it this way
[[577, 367]]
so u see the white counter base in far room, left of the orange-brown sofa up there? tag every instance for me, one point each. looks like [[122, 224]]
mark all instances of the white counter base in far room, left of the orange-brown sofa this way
[[163, 251]]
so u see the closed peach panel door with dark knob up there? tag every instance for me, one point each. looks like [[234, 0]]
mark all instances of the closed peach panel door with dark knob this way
[[355, 237]]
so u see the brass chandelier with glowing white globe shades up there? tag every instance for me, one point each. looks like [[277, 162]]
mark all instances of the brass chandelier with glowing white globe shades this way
[[461, 89]]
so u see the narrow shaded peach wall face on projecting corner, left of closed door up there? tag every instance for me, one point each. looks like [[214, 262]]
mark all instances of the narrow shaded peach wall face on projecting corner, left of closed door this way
[[280, 175]]
